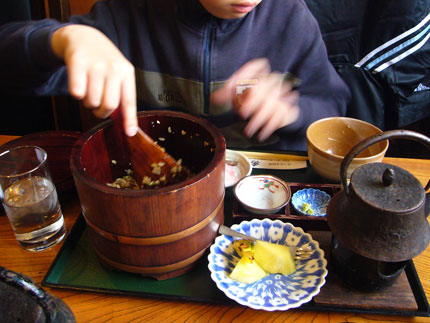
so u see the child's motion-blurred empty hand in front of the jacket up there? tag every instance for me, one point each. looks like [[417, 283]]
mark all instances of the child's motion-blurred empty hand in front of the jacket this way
[[269, 105]]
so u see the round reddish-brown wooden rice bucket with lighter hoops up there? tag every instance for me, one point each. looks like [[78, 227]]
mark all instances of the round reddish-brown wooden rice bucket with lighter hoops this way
[[159, 232]]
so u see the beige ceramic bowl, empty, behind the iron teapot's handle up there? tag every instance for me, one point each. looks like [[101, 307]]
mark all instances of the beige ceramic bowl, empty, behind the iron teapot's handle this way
[[330, 139]]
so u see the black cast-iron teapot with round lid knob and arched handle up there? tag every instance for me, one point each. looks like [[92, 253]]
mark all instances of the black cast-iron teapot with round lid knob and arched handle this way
[[379, 220]]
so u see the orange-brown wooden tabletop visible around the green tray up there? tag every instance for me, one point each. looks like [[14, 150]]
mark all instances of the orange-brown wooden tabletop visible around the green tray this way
[[99, 307]]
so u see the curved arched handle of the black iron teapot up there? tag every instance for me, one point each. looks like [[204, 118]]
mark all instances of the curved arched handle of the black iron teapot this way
[[407, 134]]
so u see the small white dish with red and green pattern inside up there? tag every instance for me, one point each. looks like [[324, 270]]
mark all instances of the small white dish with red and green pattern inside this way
[[262, 194]]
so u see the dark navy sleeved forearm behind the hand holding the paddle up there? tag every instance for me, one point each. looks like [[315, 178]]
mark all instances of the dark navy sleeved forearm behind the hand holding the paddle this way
[[26, 60]]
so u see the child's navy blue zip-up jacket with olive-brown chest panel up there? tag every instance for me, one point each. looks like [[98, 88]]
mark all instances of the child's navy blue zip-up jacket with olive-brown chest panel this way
[[182, 53]]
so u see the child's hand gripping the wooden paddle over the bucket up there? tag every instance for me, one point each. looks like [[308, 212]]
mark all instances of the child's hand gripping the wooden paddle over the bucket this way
[[99, 74]]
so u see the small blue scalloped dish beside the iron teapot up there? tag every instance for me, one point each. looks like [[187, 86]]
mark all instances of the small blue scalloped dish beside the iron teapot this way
[[311, 202]]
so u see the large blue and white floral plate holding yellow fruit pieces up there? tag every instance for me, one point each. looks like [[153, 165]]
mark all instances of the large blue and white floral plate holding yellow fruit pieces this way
[[275, 291]]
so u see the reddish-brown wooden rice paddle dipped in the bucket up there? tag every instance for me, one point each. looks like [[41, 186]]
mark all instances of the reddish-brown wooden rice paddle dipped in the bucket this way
[[147, 158]]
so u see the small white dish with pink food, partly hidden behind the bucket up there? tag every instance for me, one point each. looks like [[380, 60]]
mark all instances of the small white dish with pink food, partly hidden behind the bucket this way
[[237, 166]]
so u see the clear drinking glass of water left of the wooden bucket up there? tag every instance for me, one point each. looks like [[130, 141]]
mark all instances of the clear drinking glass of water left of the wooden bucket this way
[[30, 199]]
